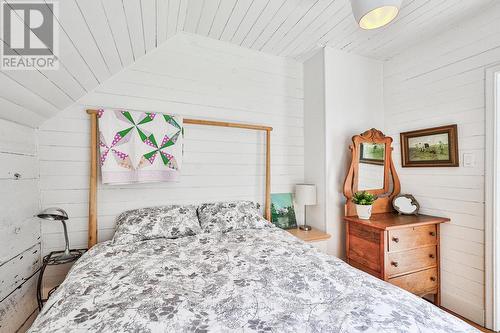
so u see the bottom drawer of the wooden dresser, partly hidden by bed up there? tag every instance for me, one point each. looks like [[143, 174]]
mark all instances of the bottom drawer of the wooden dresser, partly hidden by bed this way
[[419, 283]]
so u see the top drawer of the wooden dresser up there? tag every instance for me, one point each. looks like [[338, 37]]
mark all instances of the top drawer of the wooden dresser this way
[[410, 238]]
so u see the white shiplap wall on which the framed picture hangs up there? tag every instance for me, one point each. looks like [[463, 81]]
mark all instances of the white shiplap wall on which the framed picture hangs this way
[[437, 83]]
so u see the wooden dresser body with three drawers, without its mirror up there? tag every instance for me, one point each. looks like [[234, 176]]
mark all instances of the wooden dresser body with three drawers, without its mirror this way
[[400, 249]]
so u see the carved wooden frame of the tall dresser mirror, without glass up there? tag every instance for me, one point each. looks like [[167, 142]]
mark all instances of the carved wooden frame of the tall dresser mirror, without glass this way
[[384, 203]]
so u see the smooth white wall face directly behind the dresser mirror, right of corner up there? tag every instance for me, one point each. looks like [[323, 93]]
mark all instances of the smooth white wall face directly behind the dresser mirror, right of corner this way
[[354, 103]]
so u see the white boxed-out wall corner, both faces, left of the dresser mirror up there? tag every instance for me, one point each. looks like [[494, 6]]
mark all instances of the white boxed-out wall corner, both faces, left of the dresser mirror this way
[[352, 95]]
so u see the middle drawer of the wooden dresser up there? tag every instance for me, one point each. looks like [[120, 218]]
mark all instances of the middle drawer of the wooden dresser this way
[[411, 260]]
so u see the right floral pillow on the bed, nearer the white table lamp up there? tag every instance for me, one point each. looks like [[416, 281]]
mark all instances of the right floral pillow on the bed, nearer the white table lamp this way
[[227, 216]]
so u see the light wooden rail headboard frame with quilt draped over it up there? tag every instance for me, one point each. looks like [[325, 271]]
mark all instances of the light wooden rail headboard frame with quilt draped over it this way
[[94, 160]]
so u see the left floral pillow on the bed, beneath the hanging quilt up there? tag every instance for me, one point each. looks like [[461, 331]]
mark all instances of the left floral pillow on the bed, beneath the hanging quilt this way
[[172, 221]]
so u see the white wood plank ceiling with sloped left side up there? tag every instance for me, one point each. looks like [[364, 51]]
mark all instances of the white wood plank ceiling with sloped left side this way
[[98, 38]]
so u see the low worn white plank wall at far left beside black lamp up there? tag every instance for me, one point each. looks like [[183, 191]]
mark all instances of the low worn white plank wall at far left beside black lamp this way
[[19, 231]]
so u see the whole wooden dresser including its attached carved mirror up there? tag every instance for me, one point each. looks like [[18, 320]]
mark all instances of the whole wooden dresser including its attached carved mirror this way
[[400, 249]]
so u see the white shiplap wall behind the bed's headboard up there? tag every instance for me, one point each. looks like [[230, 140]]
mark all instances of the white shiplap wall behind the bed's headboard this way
[[194, 77]]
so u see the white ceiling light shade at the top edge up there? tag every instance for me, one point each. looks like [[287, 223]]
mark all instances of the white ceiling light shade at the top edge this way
[[373, 14]]
